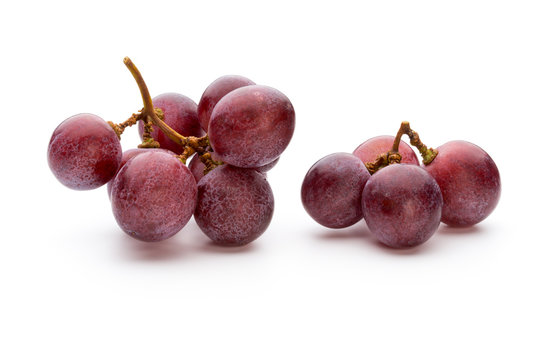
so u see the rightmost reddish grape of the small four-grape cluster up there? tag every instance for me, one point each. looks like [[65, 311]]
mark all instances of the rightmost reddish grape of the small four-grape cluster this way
[[469, 181]]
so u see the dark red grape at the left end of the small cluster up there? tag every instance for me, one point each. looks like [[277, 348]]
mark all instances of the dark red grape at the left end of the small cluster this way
[[332, 190]]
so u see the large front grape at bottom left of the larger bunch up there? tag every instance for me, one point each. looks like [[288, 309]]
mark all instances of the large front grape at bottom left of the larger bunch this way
[[153, 196]]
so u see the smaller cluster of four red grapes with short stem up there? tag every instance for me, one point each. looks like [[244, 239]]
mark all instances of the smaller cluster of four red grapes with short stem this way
[[402, 201]]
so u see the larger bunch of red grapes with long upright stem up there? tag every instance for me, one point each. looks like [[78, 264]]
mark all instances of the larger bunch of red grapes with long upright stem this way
[[233, 136]]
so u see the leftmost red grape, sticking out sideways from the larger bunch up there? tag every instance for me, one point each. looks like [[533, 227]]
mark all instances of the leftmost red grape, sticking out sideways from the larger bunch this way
[[84, 152]]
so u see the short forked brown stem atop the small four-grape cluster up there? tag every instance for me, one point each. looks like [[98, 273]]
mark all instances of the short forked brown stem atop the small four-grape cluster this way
[[394, 157]]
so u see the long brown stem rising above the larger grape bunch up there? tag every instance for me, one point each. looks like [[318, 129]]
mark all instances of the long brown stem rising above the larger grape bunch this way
[[150, 116]]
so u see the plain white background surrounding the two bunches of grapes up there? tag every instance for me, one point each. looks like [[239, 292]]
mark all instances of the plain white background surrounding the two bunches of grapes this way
[[73, 286]]
